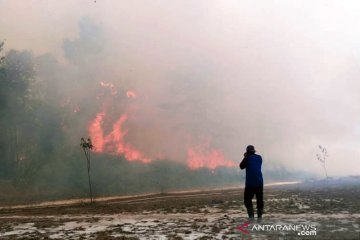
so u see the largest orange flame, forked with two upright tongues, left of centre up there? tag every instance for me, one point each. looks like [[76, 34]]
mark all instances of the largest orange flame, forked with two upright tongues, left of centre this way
[[114, 142]]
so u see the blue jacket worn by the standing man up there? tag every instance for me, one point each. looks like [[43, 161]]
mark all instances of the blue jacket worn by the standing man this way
[[252, 163]]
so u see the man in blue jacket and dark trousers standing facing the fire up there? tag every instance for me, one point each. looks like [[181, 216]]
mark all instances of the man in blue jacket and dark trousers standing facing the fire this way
[[254, 181]]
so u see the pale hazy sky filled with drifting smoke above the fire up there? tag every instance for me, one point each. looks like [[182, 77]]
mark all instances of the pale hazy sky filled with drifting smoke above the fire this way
[[281, 75]]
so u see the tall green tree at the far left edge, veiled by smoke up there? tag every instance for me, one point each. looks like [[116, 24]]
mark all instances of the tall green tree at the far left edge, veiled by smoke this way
[[16, 75]]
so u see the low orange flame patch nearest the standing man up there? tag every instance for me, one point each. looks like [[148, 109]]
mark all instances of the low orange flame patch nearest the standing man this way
[[201, 156]]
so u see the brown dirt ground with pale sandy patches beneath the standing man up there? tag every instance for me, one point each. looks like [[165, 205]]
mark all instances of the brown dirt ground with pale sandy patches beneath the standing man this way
[[334, 213]]
